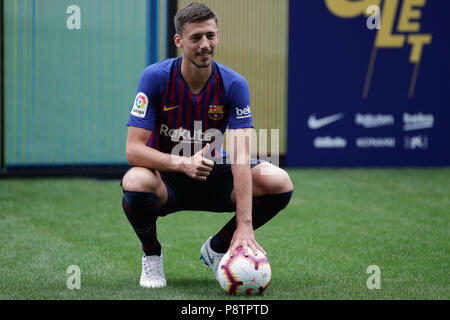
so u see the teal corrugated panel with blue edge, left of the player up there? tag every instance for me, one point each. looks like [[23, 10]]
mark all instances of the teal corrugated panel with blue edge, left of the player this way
[[68, 92]]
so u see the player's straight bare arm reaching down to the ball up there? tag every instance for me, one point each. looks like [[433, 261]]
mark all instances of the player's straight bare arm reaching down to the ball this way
[[240, 155]]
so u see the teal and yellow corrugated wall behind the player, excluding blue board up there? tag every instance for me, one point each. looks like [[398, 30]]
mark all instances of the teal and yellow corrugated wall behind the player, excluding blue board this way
[[66, 89]]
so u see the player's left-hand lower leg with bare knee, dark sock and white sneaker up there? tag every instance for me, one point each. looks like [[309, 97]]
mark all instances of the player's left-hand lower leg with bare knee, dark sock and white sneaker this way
[[144, 194]]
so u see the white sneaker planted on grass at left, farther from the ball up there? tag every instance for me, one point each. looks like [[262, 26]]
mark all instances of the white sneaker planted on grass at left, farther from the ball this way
[[152, 275]]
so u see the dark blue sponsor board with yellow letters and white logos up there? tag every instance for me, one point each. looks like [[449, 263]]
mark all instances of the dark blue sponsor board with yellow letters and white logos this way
[[368, 83]]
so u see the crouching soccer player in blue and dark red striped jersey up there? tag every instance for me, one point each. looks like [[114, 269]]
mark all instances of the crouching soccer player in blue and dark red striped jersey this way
[[185, 101]]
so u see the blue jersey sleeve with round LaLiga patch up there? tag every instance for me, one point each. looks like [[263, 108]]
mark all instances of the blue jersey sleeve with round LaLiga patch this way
[[143, 112]]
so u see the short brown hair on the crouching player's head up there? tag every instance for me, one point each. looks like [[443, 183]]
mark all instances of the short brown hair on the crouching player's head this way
[[193, 12]]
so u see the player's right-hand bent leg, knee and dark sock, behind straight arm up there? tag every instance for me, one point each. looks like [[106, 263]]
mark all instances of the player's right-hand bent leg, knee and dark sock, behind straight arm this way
[[272, 191]]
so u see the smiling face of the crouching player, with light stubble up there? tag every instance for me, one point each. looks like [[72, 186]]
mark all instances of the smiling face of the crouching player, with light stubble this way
[[199, 42]]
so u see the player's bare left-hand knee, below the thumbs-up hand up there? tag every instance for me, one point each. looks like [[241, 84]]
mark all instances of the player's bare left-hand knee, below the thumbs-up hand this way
[[140, 180]]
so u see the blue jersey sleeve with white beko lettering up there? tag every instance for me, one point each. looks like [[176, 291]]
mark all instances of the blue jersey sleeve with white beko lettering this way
[[239, 102]]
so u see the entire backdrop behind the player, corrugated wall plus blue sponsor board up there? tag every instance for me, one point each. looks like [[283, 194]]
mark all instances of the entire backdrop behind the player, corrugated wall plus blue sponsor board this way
[[67, 91]]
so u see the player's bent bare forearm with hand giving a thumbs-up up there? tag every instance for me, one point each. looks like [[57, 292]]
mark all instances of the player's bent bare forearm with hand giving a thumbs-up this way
[[139, 155]]
